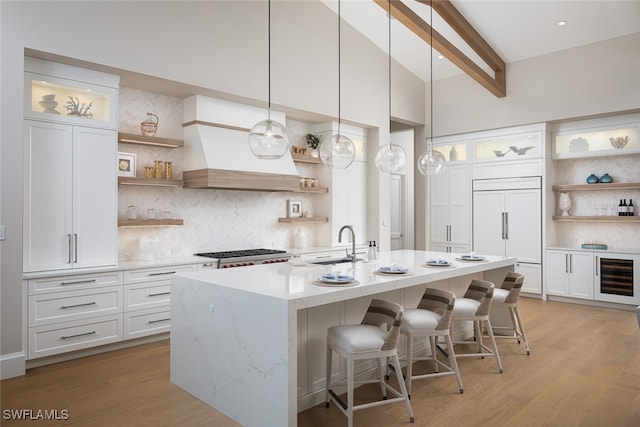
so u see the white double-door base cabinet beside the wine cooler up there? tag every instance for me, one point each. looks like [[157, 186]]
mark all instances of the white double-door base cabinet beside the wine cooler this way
[[570, 273]]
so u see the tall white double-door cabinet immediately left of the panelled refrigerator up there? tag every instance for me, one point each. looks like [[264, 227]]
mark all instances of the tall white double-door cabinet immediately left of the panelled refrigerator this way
[[451, 210]]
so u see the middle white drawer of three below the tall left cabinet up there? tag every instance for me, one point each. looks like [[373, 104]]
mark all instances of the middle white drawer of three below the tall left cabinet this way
[[74, 305]]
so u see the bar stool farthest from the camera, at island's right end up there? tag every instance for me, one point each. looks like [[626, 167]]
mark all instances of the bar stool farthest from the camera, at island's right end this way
[[507, 296]]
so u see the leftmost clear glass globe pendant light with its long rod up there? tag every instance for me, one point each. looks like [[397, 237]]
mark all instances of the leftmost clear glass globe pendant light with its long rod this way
[[268, 139]]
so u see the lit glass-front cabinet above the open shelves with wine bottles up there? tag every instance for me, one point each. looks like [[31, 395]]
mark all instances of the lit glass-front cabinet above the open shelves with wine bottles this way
[[600, 141]]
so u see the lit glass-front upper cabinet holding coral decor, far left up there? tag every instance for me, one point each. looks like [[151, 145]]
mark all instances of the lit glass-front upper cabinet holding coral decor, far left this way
[[67, 94]]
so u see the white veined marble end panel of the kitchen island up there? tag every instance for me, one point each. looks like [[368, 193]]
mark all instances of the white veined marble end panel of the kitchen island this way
[[231, 349]]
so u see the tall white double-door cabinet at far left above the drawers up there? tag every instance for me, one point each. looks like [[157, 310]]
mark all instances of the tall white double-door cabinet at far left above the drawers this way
[[70, 198]]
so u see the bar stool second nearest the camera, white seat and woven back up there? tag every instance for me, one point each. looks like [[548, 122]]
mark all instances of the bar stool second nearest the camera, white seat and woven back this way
[[432, 320]]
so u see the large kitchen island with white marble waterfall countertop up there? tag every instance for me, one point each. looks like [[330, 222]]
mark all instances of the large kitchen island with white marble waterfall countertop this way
[[250, 342]]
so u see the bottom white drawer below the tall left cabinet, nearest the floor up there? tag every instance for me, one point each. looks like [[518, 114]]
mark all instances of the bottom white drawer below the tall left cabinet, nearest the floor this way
[[69, 336]]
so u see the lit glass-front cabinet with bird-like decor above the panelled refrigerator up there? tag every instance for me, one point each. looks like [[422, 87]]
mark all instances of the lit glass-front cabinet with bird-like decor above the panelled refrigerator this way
[[508, 147]]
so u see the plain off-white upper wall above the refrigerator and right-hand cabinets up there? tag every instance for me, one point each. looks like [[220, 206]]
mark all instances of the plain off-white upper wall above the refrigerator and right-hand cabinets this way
[[588, 80]]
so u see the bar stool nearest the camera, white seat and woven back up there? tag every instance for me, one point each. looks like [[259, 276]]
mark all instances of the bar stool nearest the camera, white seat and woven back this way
[[375, 338]]
